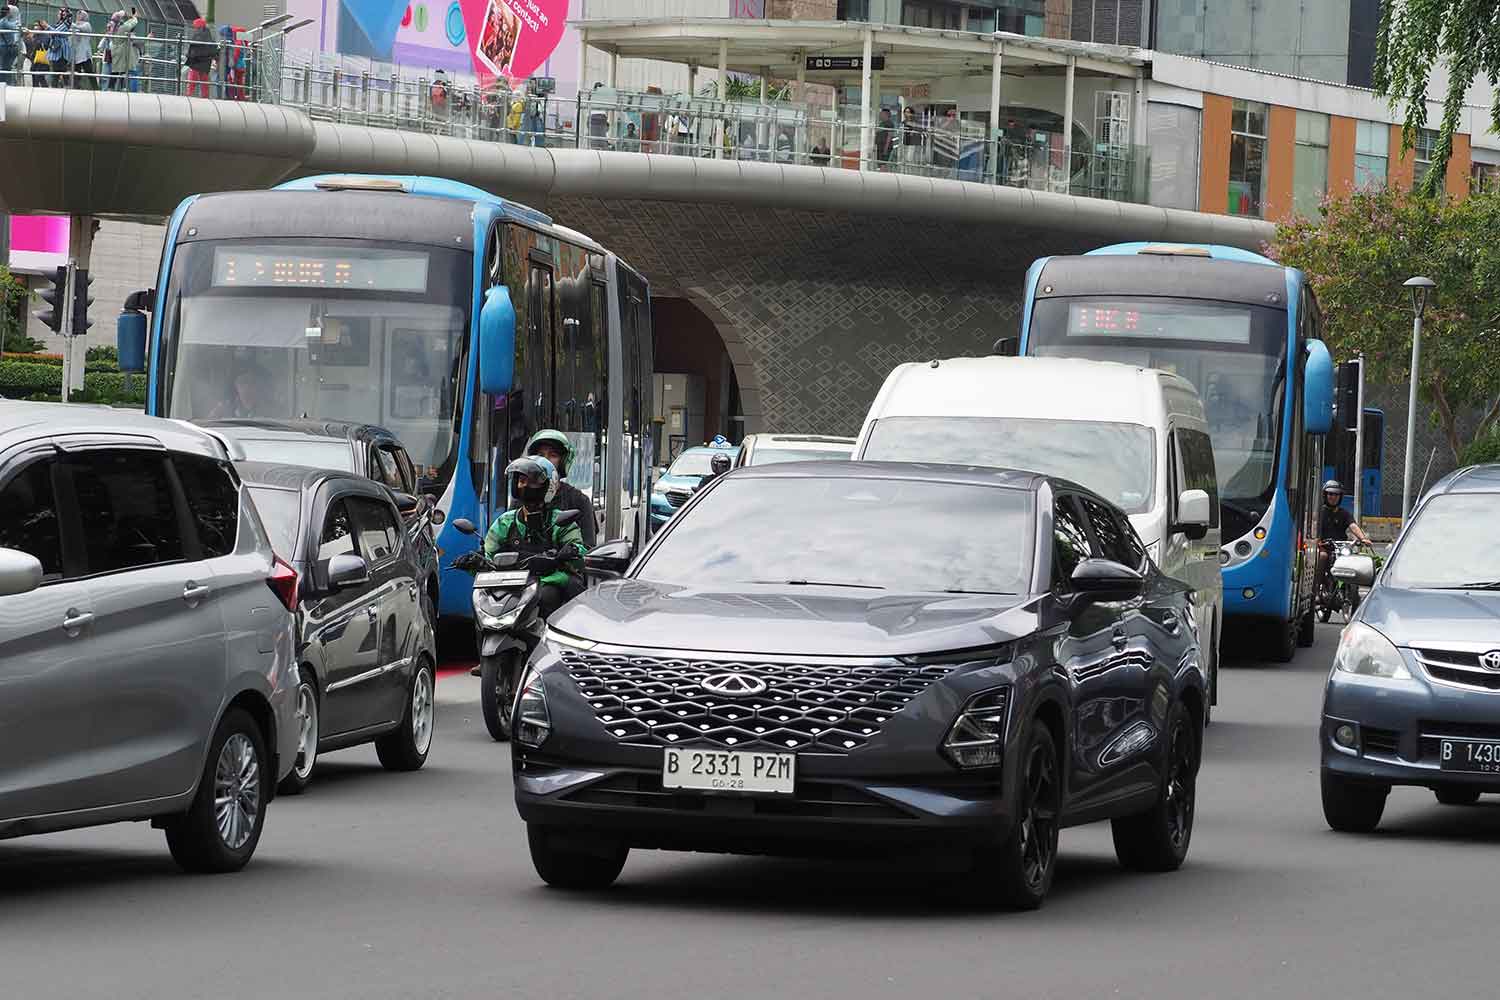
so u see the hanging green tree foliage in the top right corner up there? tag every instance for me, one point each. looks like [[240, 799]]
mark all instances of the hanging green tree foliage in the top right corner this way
[[1418, 35]]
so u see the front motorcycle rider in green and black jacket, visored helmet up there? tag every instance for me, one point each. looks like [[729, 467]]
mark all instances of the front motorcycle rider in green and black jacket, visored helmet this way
[[553, 551]]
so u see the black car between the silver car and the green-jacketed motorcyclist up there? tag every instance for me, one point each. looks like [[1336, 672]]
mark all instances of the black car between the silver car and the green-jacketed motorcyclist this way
[[365, 615]]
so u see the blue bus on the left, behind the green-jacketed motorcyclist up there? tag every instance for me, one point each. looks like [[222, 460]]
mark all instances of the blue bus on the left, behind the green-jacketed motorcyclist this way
[[461, 322]]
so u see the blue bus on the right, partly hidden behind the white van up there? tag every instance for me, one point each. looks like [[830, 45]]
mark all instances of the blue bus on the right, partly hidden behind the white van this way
[[1247, 334]]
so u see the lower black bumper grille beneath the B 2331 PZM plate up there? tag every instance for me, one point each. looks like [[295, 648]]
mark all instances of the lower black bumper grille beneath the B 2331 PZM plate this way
[[814, 800]]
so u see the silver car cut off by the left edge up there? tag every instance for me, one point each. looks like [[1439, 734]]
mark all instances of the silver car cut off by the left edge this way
[[146, 635]]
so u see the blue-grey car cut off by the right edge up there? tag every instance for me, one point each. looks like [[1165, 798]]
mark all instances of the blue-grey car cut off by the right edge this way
[[1414, 698]]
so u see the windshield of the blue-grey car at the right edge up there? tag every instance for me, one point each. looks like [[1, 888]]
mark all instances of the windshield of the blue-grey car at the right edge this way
[[1429, 557]]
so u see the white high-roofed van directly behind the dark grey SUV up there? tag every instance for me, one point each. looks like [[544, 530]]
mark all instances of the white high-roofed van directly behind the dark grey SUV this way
[[1133, 436]]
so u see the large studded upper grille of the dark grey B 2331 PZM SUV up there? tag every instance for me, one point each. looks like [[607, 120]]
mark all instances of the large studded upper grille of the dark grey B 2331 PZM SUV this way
[[812, 708]]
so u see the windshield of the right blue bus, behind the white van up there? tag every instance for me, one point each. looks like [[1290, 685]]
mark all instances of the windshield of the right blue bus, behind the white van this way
[[1234, 355]]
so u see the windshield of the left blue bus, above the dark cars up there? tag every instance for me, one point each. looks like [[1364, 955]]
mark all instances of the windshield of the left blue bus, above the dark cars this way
[[337, 331]]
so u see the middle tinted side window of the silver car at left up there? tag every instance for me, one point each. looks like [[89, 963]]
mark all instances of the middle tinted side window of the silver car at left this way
[[125, 504]]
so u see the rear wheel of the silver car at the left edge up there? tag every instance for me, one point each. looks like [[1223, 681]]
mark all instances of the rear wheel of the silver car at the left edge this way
[[236, 768]]
